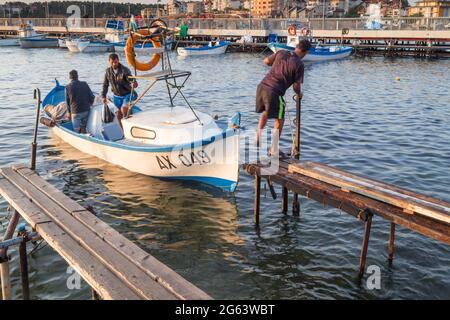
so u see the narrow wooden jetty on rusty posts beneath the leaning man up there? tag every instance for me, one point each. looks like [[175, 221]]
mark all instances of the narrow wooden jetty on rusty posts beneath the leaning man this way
[[359, 196]]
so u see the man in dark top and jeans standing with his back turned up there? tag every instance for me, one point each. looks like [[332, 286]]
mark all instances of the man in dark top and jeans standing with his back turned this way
[[79, 99]]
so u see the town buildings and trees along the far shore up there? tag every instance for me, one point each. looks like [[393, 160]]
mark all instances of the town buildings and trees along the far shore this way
[[236, 8]]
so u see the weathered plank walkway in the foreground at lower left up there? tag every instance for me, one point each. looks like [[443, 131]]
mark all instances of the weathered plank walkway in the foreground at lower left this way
[[111, 264]]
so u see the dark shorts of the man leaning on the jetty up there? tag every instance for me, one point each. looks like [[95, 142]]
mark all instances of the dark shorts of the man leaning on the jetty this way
[[269, 101]]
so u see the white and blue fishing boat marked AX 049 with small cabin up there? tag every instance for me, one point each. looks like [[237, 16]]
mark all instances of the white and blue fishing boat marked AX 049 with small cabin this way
[[170, 142]]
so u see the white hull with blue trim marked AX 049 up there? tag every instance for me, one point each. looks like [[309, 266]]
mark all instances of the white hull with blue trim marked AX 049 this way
[[199, 162]]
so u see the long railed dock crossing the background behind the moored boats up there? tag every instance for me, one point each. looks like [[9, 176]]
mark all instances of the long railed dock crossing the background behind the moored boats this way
[[398, 37]]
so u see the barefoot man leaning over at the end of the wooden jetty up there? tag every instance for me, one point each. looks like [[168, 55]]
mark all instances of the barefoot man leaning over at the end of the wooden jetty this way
[[286, 69]]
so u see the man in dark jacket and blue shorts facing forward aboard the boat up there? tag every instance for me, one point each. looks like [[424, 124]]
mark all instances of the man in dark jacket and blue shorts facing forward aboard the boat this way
[[118, 77]]
